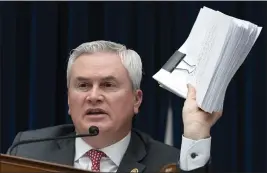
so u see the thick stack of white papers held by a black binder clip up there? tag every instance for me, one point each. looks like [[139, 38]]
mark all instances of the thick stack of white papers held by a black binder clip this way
[[216, 47]]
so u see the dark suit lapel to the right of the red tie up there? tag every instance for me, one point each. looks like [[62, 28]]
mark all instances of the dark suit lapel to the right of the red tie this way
[[134, 154]]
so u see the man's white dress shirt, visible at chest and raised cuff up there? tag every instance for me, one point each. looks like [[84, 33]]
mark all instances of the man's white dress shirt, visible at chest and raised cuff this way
[[193, 154]]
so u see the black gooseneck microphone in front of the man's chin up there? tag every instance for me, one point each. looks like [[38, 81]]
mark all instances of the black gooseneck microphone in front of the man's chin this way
[[93, 131]]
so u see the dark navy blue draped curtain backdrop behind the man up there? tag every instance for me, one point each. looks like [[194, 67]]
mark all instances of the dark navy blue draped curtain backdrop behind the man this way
[[36, 38]]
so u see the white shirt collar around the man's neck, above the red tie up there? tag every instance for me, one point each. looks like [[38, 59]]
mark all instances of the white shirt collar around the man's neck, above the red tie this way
[[115, 152]]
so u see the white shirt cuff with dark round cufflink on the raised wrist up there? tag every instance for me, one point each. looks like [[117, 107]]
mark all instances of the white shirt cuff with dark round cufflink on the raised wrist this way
[[194, 154]]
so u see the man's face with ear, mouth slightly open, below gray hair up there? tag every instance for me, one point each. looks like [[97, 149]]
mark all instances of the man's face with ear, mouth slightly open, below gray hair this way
[[101, 94]]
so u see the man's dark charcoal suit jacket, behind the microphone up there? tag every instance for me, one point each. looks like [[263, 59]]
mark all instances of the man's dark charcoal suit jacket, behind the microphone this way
[[143, 153]]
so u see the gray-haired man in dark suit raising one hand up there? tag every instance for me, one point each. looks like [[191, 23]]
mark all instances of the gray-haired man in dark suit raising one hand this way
[[103, 80]]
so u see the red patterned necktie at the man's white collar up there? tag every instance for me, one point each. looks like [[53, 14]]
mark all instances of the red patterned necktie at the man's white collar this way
[[95, 156]]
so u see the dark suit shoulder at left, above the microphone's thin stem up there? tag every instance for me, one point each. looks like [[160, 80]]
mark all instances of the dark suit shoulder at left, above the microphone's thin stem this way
[[52, 131]]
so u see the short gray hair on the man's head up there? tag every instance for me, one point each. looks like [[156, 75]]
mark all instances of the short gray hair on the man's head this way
[[129, 58]]
